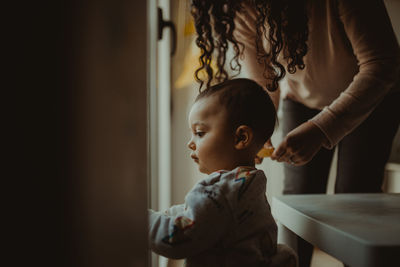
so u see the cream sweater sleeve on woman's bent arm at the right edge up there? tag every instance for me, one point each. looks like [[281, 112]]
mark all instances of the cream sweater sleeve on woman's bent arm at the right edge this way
[[368, 28]]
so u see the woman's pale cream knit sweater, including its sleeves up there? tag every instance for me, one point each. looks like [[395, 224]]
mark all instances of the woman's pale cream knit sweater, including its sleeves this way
[[352, 62]]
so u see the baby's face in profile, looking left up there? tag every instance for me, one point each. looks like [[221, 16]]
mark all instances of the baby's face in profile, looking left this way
[[212, 142]]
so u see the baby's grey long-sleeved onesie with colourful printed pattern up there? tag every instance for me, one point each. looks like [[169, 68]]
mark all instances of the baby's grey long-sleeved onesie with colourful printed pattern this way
[[225, 221]]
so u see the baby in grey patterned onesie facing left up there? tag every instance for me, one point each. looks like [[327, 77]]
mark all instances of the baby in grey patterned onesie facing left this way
[[226, 219]]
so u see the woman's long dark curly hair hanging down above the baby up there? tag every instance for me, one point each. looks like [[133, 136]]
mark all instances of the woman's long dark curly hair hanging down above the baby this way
[[282, 22]]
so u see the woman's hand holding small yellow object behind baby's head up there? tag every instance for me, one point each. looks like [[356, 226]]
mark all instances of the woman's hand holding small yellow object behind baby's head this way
[[300, 145]]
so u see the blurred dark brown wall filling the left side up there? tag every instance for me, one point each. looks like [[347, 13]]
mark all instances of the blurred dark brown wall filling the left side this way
[[78, 82]]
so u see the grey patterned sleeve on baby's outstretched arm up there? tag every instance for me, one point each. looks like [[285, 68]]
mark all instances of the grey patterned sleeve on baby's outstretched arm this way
[[190, 230]]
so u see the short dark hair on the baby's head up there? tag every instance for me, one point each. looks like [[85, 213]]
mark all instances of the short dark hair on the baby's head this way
[[247, 103]]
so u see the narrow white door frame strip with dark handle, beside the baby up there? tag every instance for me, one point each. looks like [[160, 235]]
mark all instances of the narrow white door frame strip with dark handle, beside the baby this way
[[162, 35]]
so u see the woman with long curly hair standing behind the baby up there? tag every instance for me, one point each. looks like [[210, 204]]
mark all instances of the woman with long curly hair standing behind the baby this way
[[335, 64]]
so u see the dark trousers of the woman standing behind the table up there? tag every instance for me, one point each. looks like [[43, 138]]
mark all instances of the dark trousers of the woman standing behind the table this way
[[362, 156]]
